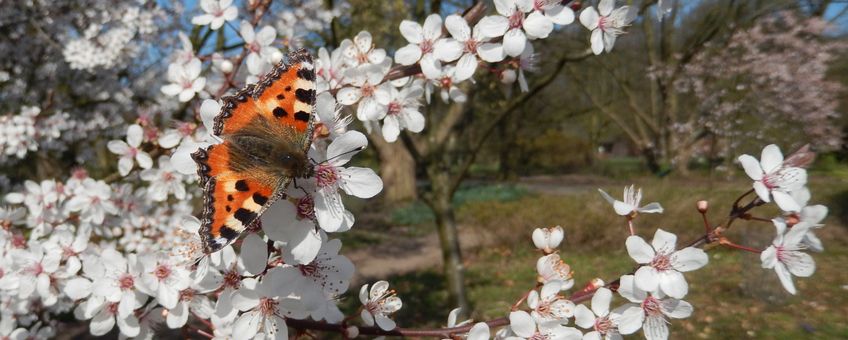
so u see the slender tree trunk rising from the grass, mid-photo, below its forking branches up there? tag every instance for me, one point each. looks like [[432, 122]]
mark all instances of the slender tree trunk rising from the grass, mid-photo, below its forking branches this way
[[439, 200]]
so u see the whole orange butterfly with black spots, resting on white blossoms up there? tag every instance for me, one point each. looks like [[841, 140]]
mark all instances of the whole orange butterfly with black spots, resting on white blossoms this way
[[266, 130]]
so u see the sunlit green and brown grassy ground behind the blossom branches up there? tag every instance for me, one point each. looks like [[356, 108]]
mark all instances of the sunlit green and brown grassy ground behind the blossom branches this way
[[733, 296]]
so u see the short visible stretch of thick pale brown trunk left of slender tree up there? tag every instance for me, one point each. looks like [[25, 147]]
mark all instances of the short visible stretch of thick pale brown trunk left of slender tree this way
[[397, 169]]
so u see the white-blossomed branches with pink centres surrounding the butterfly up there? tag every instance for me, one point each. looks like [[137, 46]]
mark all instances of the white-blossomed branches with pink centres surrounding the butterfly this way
[[123, 249]]
